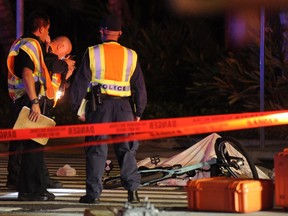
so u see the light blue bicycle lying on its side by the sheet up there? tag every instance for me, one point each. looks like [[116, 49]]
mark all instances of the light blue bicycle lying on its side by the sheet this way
[[232, 160]]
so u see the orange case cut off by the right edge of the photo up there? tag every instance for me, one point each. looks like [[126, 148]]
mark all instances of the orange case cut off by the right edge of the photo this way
[[281, 178]]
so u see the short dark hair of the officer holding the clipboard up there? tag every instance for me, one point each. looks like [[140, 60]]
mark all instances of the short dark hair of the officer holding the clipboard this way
[[36, 20]]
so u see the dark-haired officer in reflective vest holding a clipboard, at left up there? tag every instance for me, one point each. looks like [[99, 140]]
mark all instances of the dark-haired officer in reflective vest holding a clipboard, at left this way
[[28, 79]]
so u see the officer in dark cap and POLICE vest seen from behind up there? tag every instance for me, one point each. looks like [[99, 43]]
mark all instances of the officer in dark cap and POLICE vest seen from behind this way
[[110, 73]]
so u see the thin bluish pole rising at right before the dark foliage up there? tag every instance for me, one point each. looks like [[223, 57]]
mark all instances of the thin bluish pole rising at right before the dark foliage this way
[[262, 72]]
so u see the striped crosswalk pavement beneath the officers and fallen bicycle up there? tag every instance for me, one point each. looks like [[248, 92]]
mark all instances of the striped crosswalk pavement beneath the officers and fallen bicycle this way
[[164, 200]]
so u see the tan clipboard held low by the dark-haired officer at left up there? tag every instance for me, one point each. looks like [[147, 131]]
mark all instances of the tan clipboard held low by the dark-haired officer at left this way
[[23, 122]]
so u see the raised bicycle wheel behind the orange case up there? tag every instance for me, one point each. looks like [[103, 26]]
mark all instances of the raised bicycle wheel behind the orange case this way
[[233, 157]]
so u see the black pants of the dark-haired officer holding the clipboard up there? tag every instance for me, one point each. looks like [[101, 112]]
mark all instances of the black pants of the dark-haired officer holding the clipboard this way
[[31, 176]]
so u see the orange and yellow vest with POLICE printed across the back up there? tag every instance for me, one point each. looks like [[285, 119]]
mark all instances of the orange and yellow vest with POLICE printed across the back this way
[[112, 67]]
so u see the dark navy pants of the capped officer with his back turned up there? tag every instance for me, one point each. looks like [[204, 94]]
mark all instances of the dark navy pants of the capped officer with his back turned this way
[[114, 110]]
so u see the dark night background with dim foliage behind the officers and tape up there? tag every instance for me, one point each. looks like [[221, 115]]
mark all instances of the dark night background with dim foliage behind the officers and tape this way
[[188, 67]]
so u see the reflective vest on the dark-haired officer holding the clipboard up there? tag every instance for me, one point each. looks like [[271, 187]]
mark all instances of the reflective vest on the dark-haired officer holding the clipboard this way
[[15, 85]]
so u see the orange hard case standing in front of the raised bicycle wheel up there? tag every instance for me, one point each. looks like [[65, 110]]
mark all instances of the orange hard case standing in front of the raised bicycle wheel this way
[[222, 194]]
